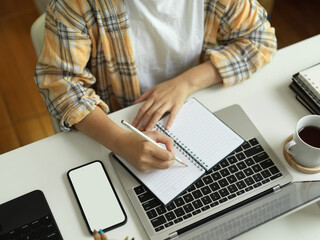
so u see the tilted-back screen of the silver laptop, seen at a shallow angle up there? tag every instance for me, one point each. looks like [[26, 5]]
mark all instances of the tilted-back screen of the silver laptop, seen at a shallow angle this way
[[258, 212]]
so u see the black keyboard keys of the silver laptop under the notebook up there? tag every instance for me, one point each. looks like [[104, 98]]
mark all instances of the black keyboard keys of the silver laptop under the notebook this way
[[247, 168]]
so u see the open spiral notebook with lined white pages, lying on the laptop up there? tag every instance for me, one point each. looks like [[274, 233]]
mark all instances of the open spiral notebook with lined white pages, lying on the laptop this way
[[201, 140]]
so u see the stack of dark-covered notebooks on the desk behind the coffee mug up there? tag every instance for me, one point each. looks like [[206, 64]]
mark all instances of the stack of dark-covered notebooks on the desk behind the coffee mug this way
[[306, 85]]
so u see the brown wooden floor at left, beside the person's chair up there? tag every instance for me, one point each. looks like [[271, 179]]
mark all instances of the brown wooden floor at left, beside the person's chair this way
[[23, 115]]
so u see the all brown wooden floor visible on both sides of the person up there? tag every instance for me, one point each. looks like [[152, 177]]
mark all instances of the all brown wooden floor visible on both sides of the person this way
[[23, 115]]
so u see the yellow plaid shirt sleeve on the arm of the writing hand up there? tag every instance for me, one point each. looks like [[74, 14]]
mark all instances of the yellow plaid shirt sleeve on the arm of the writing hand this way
[[61, 75]]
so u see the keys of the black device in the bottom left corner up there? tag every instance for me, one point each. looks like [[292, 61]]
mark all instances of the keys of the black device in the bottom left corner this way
[[44, 228]]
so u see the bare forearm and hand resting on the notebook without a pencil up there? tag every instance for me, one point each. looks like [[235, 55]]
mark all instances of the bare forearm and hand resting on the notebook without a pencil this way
[[169, 96]]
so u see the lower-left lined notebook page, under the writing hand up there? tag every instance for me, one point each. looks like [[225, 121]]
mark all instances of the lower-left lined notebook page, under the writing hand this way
[[169, 183]]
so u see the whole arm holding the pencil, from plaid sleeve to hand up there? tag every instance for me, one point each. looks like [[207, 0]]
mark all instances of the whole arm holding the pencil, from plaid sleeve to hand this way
[[64, 82]]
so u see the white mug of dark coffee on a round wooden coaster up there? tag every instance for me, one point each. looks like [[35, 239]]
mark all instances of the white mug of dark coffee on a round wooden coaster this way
[[303, 153]]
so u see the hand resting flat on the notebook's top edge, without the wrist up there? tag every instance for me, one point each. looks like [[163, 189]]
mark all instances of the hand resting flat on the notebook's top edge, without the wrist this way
[[165, 97]]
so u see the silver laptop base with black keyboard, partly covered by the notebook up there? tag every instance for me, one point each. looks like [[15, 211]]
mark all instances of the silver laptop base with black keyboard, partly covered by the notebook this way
[[252, 171]]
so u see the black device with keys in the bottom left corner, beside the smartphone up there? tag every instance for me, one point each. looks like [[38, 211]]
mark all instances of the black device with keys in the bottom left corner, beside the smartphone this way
[[28, 217]]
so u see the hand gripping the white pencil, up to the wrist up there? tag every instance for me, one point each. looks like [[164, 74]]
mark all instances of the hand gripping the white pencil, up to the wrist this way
[[143, 155]]
